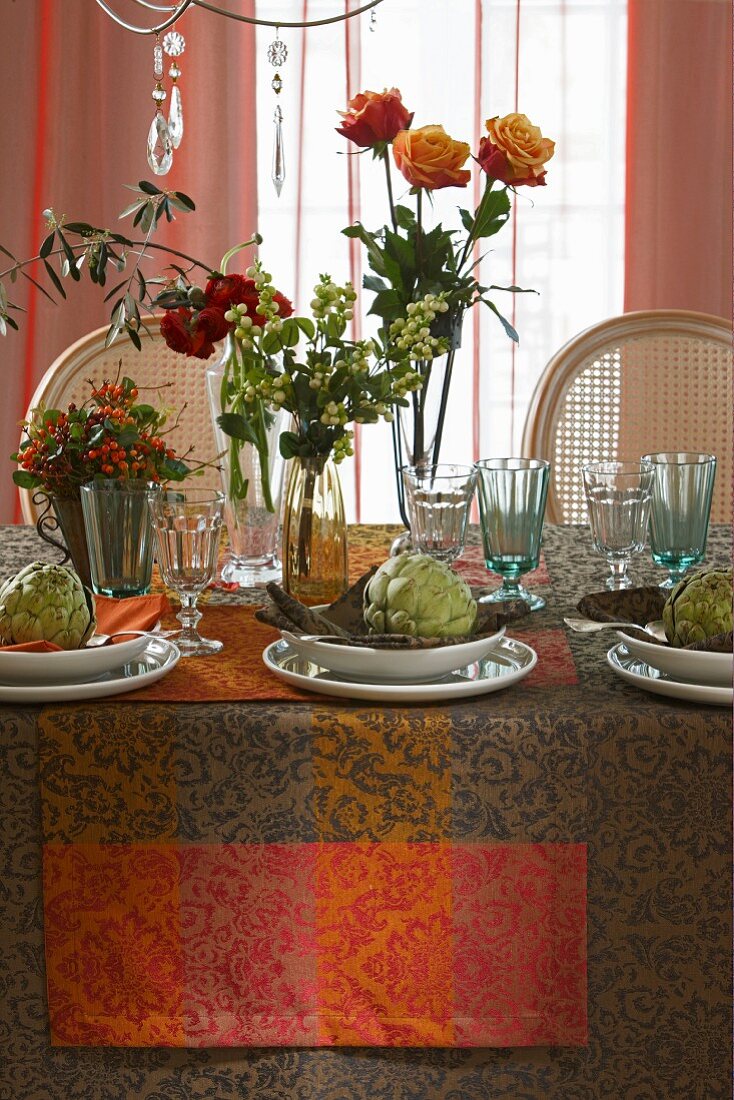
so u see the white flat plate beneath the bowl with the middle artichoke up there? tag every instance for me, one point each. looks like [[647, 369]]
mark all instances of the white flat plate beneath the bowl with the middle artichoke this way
[[509, 663]]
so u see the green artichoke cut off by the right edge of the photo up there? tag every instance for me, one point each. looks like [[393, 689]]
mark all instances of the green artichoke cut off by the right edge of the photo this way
[[699, 608]]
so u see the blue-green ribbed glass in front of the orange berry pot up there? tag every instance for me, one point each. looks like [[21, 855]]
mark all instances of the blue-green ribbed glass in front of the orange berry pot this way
[[117, 526]]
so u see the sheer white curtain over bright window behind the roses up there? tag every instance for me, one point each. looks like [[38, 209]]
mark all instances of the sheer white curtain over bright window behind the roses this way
[[561, 62]]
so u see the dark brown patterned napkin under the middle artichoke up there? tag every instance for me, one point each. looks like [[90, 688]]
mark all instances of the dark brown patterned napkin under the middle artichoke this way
[[345, 624]]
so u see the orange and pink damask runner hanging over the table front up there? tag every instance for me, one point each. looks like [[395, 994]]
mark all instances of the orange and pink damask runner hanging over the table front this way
[[369, 923]]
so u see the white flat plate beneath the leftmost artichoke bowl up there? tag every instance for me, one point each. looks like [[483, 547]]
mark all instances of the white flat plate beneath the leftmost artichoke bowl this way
[[159, 657]]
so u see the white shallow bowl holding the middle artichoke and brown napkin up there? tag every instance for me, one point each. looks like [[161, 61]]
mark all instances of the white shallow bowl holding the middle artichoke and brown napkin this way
[[392, 666]]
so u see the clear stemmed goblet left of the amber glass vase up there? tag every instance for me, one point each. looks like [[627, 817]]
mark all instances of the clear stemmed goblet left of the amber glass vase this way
[[188, 525]]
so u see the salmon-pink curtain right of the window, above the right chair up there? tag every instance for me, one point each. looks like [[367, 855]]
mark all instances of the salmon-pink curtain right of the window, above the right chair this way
[[680, 157]]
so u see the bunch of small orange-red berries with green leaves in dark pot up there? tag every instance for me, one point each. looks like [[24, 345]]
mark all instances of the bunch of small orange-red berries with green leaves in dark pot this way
[[109, 436]]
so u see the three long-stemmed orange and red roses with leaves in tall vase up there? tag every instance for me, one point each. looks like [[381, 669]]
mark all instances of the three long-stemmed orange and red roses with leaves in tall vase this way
[[414, 267]]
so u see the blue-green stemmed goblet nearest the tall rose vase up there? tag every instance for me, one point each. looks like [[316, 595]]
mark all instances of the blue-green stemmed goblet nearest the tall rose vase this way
[[512, 505]]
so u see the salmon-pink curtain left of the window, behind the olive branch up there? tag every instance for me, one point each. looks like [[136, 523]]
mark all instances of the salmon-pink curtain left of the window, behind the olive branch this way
[[78, 95]]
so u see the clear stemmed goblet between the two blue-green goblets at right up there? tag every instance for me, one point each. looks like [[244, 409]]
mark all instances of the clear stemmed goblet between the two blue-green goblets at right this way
[[619, 498]]
